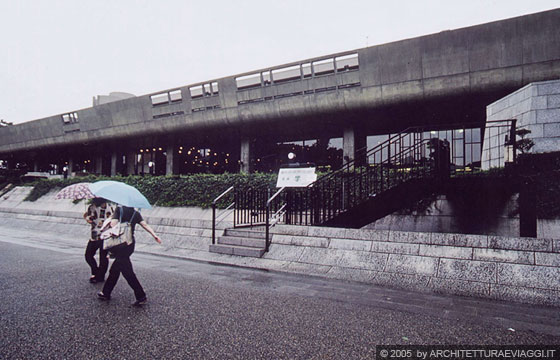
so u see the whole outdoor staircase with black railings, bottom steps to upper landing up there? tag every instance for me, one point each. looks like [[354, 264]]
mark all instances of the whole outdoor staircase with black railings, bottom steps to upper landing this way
[[396, 173]]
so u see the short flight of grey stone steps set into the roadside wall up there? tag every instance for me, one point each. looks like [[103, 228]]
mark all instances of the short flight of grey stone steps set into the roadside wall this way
[[242, 242]]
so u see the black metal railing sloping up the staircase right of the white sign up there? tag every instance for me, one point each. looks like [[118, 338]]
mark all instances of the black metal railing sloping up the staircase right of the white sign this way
[[350, 186]]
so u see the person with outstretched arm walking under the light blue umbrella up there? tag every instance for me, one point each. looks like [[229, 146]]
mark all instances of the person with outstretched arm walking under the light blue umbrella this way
[[122, 254]]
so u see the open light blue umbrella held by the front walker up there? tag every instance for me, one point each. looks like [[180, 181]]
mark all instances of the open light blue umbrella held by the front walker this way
[[120, 193]]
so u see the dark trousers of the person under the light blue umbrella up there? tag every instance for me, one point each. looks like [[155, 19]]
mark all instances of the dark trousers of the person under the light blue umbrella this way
[[122, 264]]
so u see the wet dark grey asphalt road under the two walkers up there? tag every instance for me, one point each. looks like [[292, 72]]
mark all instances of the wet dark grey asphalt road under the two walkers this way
[[204, 311]]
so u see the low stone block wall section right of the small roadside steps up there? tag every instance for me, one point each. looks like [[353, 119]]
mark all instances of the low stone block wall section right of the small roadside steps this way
[[496, 267]]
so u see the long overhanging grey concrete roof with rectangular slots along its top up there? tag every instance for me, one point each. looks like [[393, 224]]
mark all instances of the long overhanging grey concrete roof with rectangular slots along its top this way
[[449, 75]]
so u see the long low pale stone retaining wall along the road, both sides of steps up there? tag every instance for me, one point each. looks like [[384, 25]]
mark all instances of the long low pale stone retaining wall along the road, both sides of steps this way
[[504, 268]]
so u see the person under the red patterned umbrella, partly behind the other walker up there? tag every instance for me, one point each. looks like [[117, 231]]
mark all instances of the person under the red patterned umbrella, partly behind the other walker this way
[[95, 215]]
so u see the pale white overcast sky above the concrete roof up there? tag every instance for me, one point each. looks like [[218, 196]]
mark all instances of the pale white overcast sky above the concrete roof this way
[[58, 54]]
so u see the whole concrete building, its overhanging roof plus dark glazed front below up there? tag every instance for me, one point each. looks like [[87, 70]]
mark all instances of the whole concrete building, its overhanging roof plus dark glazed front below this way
[[325, 108]]
